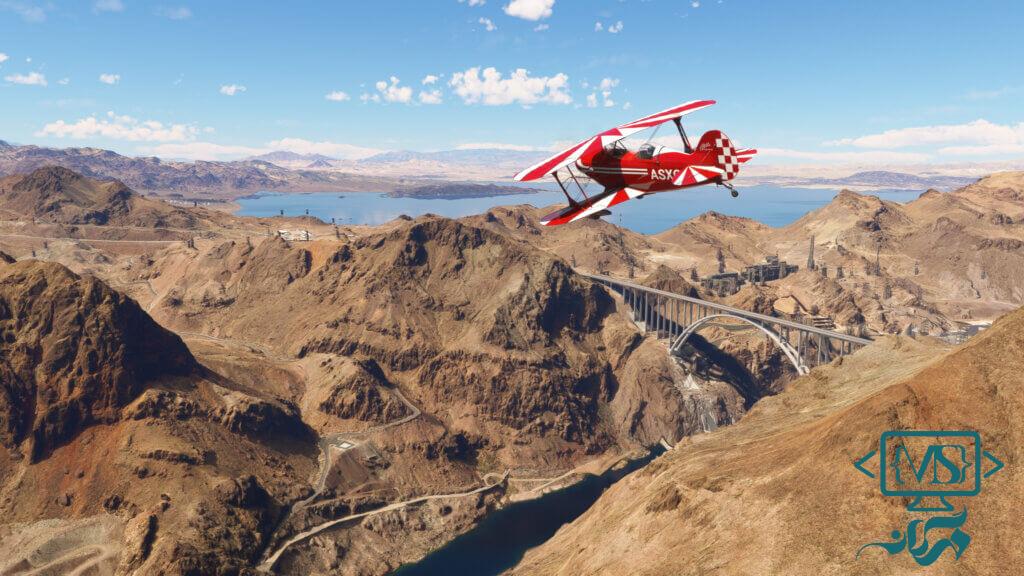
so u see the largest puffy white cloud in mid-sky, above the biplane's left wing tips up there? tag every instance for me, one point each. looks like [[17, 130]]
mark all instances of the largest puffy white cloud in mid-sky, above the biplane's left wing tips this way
[[488, 87]]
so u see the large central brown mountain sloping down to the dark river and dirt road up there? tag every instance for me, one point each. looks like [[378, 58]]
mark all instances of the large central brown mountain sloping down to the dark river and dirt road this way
[[441, 352]]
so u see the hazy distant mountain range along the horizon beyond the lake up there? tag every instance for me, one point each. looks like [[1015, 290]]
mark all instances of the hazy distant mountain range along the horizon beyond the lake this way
[[389, 172]]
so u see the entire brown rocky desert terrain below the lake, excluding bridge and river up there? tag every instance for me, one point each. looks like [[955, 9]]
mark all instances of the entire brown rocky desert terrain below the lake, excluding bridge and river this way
[[190, 392]]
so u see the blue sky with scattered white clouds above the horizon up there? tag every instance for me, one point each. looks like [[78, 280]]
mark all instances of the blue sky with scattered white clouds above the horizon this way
[[837, 83]]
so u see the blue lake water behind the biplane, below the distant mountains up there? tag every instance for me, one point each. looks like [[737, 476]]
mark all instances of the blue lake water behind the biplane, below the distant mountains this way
[[773, 205]]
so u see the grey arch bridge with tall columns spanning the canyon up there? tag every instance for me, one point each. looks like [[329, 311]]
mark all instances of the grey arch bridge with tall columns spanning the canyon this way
[[677, 317]]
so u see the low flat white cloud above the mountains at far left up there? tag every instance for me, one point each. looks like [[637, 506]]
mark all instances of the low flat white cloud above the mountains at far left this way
[[119, 129]]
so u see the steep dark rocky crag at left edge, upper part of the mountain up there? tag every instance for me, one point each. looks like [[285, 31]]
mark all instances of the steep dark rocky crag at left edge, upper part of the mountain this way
[[73, 353]]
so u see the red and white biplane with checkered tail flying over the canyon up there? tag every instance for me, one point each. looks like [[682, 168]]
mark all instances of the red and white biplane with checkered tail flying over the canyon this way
[[627, 175]]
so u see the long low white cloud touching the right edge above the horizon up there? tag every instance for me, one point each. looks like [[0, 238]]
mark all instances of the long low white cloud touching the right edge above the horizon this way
[[977, 133]]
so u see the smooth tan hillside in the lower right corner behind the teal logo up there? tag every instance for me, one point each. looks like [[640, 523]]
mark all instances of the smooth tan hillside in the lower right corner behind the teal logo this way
[[753, 499]]
